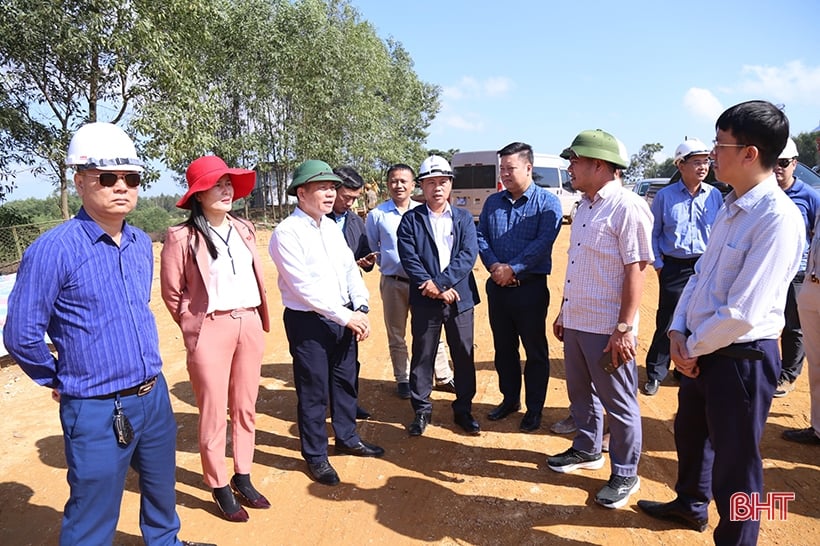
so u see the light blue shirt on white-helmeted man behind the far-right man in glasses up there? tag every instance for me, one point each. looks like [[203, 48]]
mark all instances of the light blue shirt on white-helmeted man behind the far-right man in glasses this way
[[683, 221]]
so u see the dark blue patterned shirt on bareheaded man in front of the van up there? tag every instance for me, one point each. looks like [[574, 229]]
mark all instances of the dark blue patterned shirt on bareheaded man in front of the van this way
[[521, 233]]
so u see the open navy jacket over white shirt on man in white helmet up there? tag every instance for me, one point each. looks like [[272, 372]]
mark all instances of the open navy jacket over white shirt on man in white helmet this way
[[419, 257]]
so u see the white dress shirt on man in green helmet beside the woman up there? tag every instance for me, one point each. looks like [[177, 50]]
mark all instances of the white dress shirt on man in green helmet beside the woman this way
[[317, 271]]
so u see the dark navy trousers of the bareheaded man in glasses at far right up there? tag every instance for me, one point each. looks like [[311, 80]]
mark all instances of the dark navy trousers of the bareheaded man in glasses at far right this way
[[720, 419]]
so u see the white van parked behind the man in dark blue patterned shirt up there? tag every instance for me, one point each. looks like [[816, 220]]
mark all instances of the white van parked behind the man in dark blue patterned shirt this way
[[476, 176]]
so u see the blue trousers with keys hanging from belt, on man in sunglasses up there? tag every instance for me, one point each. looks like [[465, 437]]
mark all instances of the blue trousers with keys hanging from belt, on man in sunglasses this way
[[97, 467]]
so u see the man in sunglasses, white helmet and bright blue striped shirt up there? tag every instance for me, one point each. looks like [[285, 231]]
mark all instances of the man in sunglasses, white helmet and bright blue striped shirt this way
[[87, 284]]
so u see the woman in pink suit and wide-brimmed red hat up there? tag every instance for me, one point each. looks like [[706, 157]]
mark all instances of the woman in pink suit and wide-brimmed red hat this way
[[211, 279]]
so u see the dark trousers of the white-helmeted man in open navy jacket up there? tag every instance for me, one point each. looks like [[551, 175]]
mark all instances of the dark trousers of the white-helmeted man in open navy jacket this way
[[425, 324]]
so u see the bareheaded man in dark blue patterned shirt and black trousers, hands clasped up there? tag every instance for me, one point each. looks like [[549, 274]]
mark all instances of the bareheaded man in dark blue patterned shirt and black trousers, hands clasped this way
[[516, 230]]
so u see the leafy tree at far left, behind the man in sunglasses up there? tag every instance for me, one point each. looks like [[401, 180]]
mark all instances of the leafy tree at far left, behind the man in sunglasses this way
[[68, 62]]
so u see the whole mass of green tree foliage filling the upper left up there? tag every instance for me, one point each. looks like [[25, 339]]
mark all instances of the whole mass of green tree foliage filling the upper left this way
[[265, 84]]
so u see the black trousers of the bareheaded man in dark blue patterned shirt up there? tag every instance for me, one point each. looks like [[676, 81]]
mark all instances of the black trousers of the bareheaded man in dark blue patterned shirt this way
[[520, 312]]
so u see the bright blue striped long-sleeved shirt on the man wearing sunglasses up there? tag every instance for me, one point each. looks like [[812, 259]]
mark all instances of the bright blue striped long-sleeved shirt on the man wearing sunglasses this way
[[91, 297]]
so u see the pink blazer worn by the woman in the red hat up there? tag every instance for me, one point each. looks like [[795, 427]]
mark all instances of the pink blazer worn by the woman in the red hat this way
[[184, 277]]
